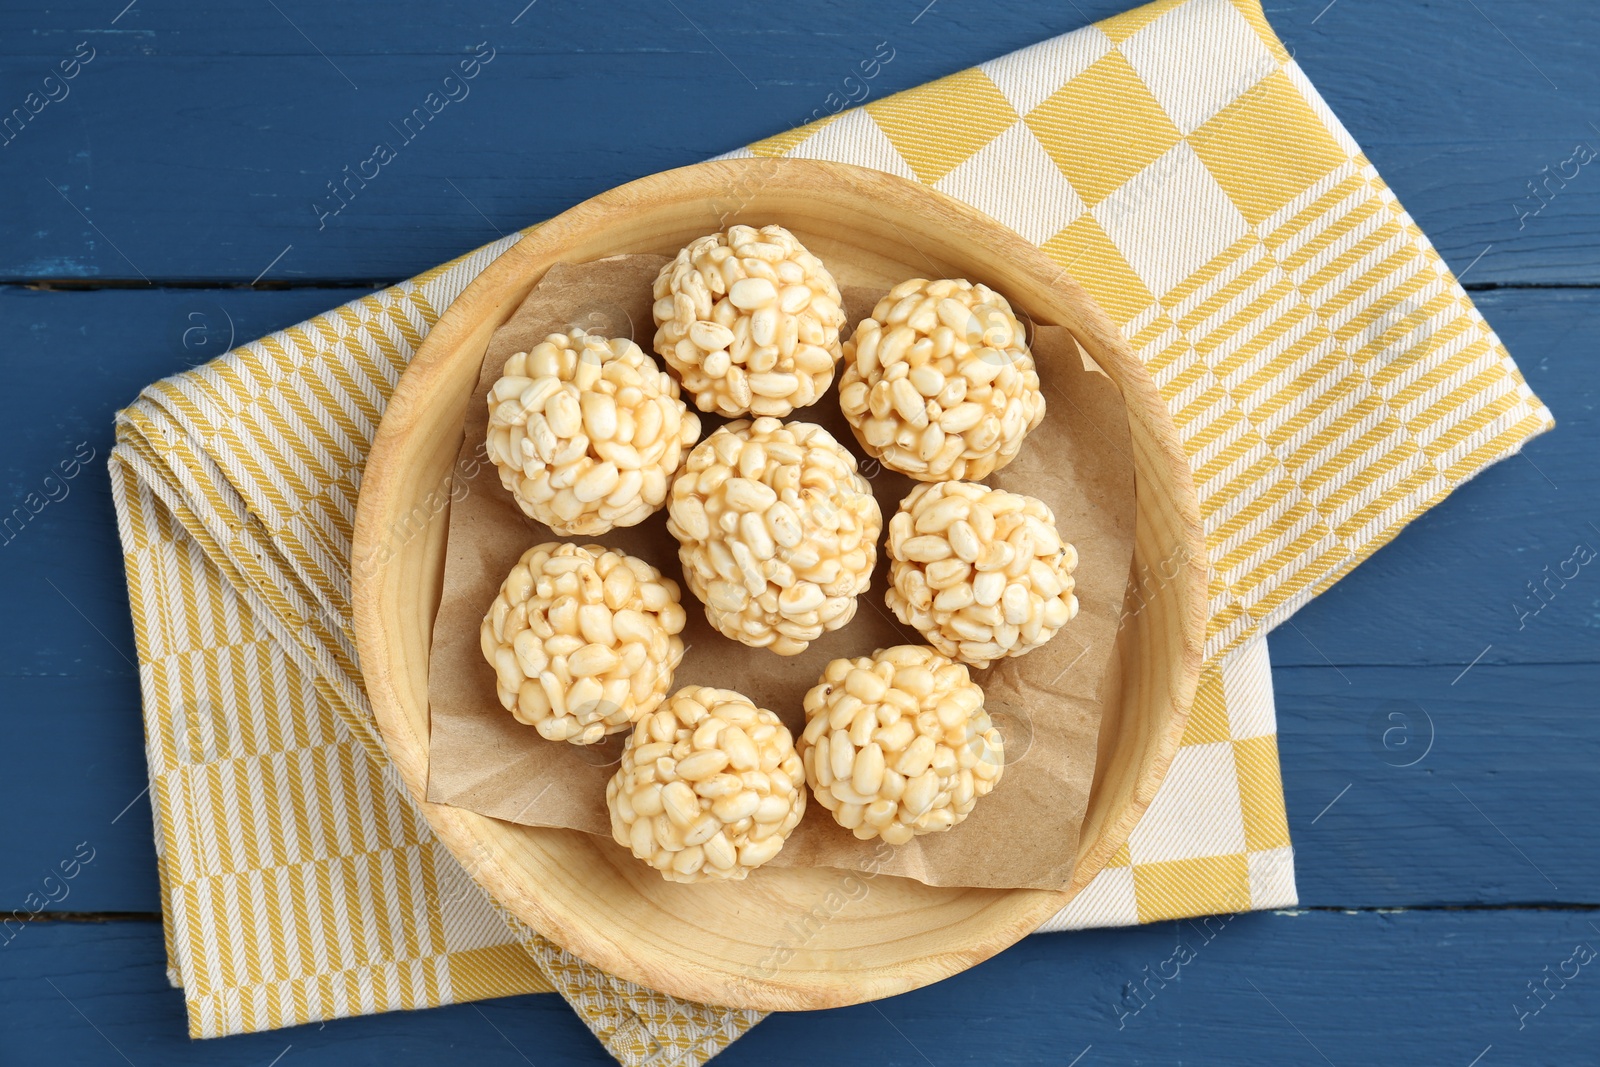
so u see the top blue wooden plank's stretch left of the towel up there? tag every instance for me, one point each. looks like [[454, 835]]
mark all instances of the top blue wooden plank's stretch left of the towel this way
[[537, 134]]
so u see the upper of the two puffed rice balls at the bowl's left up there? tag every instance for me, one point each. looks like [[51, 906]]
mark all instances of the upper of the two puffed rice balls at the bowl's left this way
[[588, 433]]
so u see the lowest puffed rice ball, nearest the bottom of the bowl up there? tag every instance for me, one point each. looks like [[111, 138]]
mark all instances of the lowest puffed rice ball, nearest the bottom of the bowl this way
[[710, 788]]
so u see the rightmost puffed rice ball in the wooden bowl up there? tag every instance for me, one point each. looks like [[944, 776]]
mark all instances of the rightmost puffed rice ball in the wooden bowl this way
[[982, 573]]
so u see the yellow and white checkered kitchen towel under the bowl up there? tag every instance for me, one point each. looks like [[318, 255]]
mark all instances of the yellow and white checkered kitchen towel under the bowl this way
[[1329, 375]]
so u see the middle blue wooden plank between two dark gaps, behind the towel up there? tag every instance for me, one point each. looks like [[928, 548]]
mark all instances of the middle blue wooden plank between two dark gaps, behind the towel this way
[[1423, 601]]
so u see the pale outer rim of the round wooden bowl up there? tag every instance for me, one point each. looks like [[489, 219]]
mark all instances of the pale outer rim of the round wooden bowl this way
[[409, 753]]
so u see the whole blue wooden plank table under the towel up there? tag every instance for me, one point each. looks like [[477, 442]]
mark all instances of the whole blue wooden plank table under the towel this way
[[180, 180]]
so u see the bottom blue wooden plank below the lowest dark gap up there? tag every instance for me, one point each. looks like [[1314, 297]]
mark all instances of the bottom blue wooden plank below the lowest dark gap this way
[[1254, 991]]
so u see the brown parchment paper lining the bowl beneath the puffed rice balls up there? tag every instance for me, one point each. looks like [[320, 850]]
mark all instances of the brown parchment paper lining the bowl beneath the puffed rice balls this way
[[1047, 703]]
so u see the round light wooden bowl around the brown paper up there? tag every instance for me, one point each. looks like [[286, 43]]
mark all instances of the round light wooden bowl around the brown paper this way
[[786, 938]]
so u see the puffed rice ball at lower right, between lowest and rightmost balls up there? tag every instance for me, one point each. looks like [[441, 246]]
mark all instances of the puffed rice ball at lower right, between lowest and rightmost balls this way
[[898, 743]]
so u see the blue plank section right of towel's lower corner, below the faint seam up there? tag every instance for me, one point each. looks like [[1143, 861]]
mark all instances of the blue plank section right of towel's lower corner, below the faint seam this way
[[1425, 786]]
